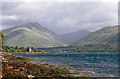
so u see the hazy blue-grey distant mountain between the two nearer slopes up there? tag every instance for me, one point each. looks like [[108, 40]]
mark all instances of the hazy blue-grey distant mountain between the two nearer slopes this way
[[74, 36]]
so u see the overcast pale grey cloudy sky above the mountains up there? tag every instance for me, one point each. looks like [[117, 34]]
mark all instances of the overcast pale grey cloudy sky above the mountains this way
[[61, 17]]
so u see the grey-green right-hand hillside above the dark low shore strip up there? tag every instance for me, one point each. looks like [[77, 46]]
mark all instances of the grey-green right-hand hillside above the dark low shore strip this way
[[107, 36]]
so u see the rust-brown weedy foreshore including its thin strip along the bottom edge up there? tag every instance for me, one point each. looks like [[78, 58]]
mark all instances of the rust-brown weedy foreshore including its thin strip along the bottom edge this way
[[20, 67]]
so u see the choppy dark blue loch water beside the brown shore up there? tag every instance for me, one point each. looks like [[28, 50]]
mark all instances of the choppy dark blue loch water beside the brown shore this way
[[104, 64]]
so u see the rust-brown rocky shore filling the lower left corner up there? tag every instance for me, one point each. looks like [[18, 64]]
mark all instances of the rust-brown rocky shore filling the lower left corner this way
[[14, 66]]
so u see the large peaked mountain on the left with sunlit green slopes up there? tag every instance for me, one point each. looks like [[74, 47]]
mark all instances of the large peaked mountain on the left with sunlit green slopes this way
[[31, 34]]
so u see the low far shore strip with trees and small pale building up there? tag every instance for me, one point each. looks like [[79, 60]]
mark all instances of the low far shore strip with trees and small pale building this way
[[67, 49]]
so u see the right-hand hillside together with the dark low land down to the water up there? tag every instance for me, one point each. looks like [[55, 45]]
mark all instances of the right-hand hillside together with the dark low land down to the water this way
[[102, 40]]
